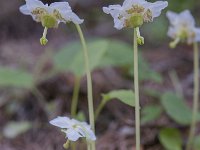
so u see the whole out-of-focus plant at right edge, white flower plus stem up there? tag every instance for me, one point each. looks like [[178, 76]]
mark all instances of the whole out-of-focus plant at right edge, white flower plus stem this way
[[182, 29]]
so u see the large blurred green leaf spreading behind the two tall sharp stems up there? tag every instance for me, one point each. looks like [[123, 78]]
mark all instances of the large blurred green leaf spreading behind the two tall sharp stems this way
[[102, 53]]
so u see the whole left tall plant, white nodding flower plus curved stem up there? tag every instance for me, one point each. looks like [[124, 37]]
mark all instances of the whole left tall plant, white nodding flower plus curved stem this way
[[50, 16]]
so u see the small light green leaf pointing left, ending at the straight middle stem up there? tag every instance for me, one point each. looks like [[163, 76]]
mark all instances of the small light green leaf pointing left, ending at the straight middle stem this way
[[125, 96]]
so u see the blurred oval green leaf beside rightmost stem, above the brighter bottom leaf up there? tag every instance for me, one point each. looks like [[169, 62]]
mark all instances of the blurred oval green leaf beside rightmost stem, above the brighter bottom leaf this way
[[176, 108]]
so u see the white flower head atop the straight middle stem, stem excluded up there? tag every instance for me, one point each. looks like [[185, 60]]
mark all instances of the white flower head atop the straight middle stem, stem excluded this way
[[123, 14]]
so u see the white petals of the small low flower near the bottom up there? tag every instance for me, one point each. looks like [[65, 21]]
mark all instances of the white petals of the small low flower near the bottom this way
[[74, 129]]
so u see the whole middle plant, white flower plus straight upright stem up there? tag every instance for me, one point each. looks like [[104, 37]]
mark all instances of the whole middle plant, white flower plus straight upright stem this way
[[132, 14]]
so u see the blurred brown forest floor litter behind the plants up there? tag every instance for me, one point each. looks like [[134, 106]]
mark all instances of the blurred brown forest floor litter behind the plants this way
[[115, 126]]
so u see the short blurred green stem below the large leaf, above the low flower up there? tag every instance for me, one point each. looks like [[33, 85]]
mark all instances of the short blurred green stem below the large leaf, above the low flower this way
[[75, 96]]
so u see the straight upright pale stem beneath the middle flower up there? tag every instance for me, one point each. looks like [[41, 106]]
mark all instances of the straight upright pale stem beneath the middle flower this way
[[136, 88]]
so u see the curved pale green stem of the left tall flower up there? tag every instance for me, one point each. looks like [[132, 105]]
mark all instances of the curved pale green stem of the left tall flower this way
[[89, 82]]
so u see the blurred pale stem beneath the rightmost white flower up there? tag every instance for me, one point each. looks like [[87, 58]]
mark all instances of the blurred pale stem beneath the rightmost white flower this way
[[195, 98]]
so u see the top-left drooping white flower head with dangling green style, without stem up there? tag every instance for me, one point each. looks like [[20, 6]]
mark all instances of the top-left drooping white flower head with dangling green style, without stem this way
[[50, 15]]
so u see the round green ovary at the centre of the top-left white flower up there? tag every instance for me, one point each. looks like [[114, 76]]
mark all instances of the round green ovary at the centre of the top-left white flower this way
[[49, 21]]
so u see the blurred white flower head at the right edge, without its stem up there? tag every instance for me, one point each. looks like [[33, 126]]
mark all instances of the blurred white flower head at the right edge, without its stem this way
[[182, 28]]
